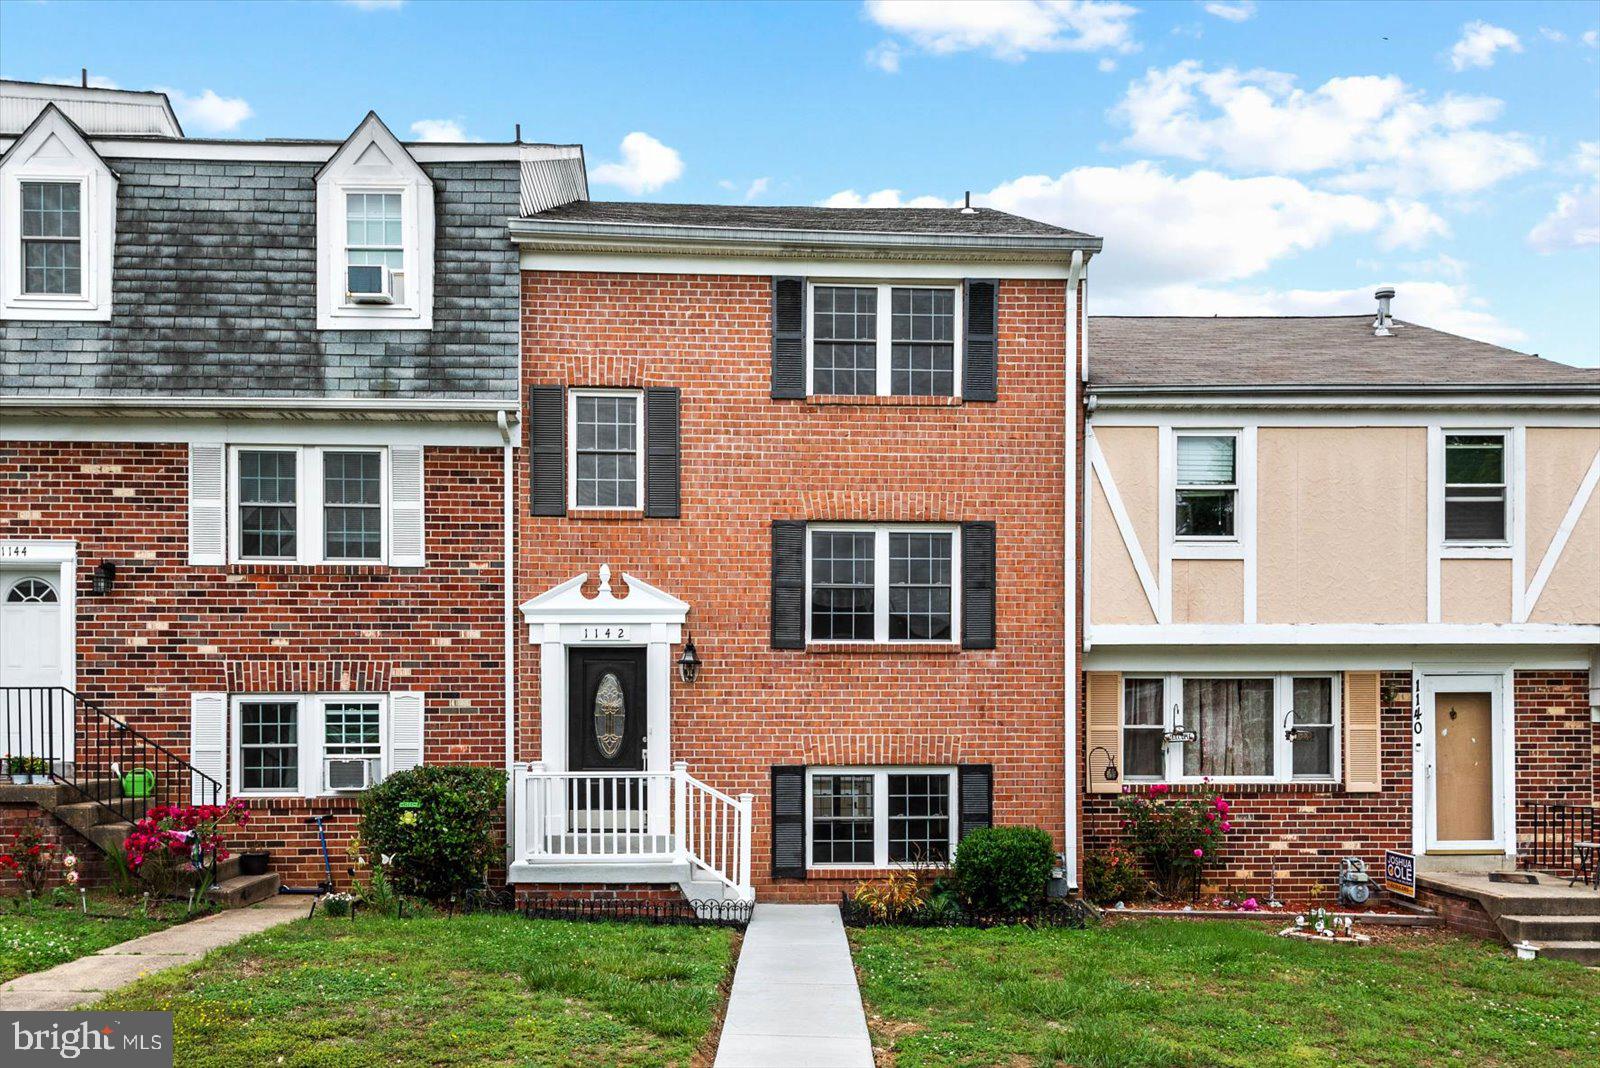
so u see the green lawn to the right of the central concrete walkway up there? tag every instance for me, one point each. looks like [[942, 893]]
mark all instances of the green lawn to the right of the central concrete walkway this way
[[1217, 994]]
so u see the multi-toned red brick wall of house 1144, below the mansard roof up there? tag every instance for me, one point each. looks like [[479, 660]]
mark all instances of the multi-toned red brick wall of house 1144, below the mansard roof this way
[[170, 629]]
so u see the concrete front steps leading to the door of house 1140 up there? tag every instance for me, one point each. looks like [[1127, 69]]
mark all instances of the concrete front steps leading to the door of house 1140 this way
[[1532, 907]]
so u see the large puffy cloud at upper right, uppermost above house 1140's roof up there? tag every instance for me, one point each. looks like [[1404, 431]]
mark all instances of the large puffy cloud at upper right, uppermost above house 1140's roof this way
[[1366, 132]]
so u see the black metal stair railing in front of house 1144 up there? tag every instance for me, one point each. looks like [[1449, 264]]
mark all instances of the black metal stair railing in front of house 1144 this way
[[98, 757]]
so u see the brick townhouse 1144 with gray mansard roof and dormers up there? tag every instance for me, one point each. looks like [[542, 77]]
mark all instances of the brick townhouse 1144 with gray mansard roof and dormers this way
[[255, 413]]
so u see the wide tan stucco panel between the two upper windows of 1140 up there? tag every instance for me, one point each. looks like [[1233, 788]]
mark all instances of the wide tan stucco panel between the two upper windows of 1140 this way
[[1342, 525]]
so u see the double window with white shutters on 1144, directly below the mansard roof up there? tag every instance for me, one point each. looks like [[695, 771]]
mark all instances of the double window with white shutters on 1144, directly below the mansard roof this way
[[310, 504]]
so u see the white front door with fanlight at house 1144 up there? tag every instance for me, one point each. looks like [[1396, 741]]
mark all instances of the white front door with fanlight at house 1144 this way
[[33, 714]]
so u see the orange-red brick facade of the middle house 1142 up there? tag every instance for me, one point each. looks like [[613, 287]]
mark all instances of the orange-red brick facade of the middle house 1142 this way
[[748, 461]]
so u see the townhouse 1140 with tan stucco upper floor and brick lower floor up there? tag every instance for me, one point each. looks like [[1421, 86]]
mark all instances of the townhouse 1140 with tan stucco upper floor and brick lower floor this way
[[1345, 572]]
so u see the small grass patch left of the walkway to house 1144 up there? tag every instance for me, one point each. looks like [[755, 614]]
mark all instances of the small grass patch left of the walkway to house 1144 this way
[[42, 936]]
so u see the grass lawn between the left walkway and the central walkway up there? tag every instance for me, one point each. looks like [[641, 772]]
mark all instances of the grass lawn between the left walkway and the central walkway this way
[[470, 990]]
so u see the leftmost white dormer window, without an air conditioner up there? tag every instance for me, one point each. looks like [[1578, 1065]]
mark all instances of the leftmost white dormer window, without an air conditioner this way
[[58, 226]]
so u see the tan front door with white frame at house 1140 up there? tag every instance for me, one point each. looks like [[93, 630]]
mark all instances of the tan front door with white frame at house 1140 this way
[[1465, 762]]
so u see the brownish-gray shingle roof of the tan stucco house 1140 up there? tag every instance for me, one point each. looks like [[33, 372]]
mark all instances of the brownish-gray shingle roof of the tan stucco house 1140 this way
[[1175, 353]]
